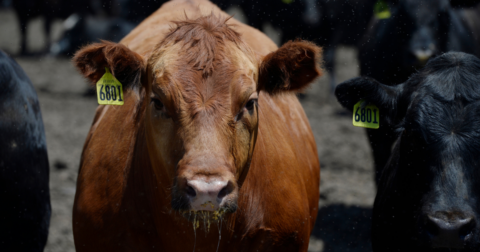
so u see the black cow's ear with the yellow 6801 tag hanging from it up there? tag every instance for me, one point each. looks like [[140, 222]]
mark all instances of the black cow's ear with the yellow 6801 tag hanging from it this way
[[386, 98]]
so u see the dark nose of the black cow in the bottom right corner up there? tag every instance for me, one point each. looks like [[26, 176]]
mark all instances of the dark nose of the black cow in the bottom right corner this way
[[447, 231]]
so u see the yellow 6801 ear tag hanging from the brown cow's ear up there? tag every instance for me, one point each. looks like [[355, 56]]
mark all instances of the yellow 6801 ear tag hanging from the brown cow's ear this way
[[109, 90]]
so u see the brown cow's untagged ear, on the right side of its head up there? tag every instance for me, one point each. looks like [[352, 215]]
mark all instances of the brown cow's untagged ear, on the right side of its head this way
[[290, 68]]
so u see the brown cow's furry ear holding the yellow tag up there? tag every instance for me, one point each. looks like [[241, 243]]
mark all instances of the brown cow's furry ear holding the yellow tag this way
[[126, 65]]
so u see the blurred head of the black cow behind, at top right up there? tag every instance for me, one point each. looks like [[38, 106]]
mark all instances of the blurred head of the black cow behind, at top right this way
[[425, 27]]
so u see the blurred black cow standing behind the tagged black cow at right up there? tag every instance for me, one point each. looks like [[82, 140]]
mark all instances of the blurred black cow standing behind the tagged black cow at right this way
[[395, 48]]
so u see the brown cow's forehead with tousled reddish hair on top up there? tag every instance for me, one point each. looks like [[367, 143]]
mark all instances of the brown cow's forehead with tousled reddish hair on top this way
[[204, 68]]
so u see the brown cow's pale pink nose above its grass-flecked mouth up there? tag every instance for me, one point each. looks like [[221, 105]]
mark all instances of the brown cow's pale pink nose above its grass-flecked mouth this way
[[207, 196]]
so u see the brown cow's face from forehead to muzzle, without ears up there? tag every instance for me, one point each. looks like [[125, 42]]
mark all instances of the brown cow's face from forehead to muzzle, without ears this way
[[202, 120]]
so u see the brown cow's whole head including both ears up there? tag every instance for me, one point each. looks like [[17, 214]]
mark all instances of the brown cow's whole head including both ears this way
[[202, 84]]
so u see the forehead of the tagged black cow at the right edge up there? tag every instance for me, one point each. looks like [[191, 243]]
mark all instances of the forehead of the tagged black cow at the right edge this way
[[445, 96]]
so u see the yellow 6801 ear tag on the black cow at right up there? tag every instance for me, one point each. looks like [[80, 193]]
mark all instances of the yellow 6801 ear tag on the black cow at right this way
[[366, 117]]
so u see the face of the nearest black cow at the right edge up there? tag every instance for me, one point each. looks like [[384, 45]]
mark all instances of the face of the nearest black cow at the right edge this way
[[437, 154]]
